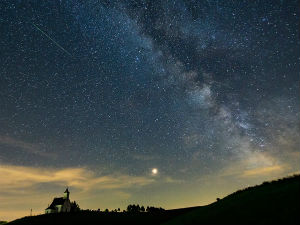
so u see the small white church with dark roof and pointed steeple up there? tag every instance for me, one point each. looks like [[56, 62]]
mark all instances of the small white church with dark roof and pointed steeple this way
[[61, 204]]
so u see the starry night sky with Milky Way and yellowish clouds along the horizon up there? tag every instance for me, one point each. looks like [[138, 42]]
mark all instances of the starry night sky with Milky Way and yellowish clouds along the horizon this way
[[96, 94]]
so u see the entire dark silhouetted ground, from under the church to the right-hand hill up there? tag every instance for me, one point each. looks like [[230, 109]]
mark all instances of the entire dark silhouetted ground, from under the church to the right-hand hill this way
[[276, 202]]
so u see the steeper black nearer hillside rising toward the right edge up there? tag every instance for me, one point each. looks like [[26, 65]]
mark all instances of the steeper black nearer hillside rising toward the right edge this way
[[276, 202]]
